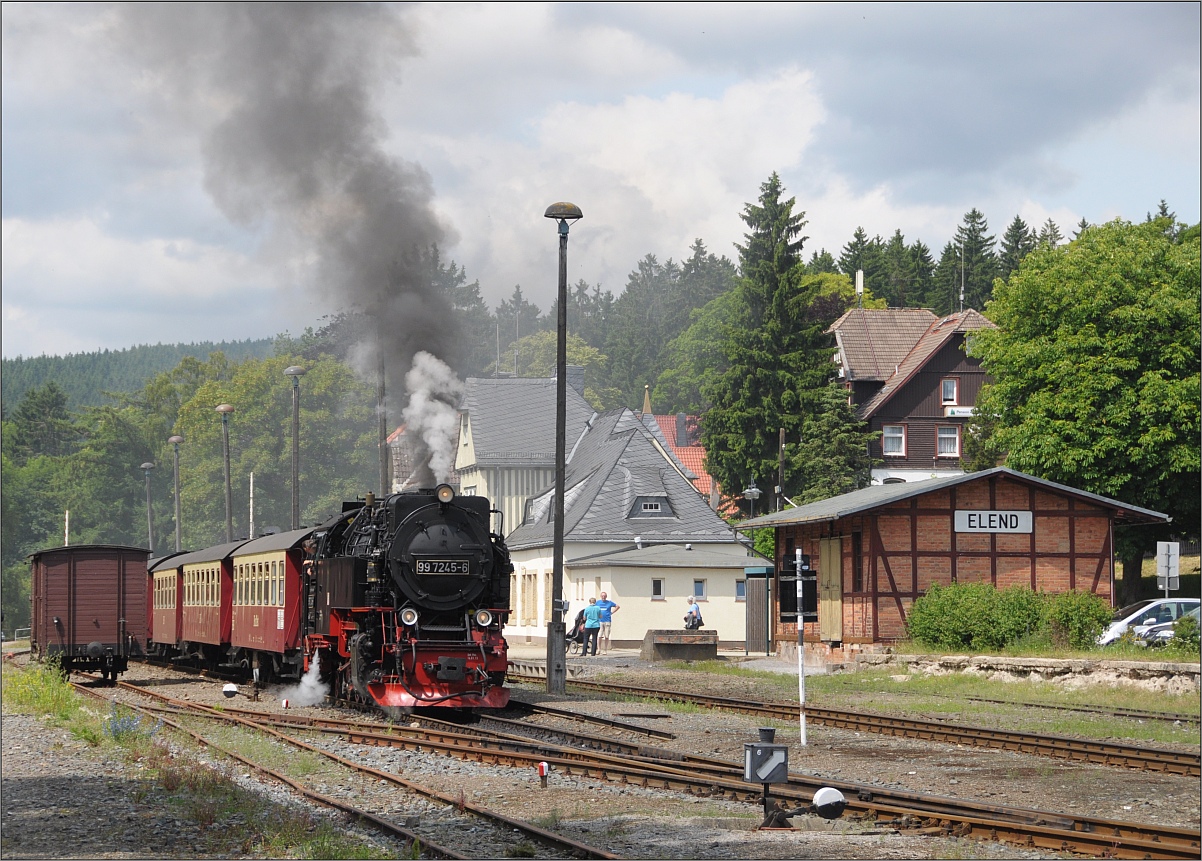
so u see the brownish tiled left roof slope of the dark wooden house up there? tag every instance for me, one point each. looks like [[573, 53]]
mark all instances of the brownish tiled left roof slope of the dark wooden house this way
[[874, 341]]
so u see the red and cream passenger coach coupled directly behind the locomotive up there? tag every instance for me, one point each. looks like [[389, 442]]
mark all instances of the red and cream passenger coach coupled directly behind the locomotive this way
[[267, 605]]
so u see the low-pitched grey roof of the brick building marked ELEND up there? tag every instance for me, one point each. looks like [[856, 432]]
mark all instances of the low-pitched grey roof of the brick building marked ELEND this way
[[878, 496]]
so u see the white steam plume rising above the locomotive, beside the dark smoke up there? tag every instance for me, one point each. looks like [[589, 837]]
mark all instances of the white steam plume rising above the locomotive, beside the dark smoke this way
[[432, 414]]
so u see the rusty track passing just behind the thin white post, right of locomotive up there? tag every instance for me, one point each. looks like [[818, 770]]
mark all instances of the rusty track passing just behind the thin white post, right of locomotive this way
[[1060, 747]]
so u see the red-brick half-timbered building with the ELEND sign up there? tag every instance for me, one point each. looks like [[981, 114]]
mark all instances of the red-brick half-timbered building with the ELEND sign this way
[[878, 549]]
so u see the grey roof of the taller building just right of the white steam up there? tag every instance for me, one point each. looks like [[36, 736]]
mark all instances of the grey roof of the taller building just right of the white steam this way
[[514, 420]]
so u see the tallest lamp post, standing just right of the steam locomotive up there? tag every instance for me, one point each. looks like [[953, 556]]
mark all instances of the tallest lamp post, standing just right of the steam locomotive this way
[[557, 661]]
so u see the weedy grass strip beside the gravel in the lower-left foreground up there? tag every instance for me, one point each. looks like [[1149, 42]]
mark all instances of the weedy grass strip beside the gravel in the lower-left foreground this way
[[233, 821]]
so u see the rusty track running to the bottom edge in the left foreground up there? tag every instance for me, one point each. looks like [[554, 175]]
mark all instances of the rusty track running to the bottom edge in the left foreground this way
[[172, 711]]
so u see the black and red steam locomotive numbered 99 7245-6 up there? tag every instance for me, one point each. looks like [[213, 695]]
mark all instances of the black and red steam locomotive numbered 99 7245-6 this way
[[407, 598]]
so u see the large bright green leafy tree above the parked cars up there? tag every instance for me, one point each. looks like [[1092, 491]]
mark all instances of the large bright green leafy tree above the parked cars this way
[[1096, 369]]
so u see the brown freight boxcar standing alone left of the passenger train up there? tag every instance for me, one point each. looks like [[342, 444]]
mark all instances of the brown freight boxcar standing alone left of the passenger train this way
[[90, 607]]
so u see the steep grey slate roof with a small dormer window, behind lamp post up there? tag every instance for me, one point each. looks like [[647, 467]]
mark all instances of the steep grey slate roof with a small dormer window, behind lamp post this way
[[616, 462]]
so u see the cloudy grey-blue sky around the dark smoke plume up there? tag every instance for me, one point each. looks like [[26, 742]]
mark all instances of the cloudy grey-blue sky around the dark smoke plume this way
[[660, 122]]
